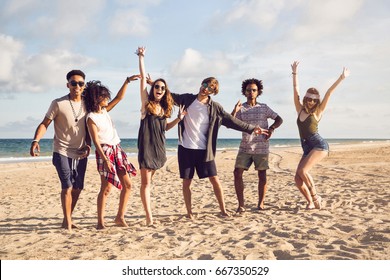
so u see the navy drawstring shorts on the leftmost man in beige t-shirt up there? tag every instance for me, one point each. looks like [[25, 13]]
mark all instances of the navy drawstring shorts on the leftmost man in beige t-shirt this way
[[70, 171]]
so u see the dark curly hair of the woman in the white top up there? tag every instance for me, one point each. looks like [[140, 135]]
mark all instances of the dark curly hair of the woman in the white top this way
[[92, 92]]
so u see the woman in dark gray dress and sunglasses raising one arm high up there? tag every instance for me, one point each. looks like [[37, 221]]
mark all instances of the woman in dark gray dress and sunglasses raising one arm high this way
[[156, 107]]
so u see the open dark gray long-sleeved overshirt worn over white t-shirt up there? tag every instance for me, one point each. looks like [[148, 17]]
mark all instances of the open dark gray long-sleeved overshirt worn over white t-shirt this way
[[217, 117]]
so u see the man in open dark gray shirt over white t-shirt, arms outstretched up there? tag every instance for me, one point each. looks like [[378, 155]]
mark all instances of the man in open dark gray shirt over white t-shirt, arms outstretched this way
[[198, 133]]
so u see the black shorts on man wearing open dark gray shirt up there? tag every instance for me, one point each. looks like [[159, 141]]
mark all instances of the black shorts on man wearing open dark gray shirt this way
[[190, 159]]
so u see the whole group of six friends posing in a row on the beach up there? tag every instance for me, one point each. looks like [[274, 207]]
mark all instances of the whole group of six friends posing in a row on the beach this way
[[81, 117]]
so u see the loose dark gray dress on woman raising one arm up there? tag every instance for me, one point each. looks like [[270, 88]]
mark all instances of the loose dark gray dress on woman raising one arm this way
[[151, 142]]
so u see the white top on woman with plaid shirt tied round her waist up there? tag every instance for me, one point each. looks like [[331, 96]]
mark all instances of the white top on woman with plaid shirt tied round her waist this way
[[106, 130]]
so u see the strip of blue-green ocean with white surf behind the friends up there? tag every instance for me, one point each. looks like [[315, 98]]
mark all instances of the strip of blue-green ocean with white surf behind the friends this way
[[18, 150]]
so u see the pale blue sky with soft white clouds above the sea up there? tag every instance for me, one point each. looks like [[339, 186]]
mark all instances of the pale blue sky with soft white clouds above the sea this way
[[187, 41]]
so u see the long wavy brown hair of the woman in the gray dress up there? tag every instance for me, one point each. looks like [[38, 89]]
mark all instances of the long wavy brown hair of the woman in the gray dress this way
[[166, 101]]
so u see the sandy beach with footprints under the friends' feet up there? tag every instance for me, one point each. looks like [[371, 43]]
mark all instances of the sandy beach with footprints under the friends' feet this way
[[354, 223]]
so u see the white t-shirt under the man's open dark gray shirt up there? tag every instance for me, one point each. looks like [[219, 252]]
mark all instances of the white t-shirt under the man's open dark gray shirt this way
[[196, 124]]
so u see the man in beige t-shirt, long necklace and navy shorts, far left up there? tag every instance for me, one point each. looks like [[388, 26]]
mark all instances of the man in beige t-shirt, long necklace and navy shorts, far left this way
[[71, 143]]
